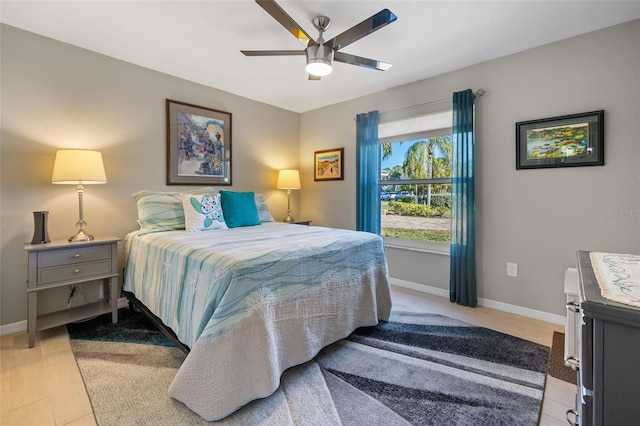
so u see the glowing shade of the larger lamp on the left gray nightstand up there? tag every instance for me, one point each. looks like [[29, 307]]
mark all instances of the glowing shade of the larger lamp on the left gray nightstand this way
[[78, 166]]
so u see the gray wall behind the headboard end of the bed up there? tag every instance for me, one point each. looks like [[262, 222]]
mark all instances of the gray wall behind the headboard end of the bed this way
[[54, 95]]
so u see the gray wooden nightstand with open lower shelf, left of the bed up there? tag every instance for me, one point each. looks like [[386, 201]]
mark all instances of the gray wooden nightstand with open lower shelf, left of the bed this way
[[59, 264]]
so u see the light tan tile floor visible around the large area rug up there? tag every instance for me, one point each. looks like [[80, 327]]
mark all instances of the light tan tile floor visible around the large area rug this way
[[42, 386]]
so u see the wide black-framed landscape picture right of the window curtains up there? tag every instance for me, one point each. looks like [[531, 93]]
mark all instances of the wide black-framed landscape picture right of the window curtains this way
[[564, 141]]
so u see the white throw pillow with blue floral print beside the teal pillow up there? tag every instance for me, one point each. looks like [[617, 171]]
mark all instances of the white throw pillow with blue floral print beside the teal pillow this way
[[202, 212]]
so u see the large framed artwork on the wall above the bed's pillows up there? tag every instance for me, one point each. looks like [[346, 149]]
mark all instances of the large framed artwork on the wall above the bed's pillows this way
[[198, 145]]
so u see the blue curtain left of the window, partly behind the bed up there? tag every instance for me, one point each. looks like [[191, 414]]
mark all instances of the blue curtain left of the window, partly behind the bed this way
[[368, 173]]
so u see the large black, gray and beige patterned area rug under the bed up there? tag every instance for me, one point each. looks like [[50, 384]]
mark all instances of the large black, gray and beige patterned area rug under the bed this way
[[417, 369]]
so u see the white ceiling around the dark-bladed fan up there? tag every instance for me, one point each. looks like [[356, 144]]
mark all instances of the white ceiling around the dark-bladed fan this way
[[201, 41]]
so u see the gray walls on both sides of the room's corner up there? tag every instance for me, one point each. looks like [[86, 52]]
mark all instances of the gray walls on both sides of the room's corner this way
[[57, 96]]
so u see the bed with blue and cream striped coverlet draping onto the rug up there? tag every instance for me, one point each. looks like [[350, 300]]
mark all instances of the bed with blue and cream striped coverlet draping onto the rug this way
[[251, 301]]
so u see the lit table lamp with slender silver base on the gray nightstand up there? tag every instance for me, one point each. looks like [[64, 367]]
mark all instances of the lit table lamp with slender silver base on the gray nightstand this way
[[79, 167]]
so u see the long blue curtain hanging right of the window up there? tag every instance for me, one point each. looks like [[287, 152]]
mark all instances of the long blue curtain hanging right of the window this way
[[462, 281]]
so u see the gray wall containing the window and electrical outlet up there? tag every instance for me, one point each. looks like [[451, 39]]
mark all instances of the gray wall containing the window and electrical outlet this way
[[536, 218]]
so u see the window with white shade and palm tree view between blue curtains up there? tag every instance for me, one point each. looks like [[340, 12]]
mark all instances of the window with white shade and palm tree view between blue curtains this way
[[415, 181]]
